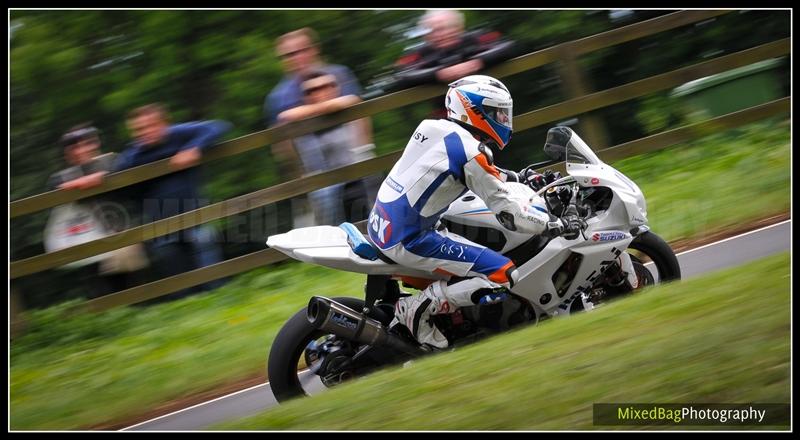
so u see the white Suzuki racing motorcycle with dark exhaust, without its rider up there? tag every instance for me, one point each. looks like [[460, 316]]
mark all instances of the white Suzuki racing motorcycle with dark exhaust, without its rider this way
[[344, 337]]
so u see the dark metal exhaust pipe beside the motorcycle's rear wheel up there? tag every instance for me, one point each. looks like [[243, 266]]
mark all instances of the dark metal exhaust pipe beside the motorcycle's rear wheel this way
[[330, 316]]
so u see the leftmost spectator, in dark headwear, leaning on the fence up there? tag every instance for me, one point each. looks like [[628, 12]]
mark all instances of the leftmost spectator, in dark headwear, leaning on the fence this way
[[92, 218]]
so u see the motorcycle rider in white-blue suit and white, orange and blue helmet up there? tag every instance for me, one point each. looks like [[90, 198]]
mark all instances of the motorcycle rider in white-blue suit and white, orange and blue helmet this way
[[442, 160]]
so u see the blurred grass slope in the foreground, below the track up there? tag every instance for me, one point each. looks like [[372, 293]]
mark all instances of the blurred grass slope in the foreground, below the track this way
[[720, 338]]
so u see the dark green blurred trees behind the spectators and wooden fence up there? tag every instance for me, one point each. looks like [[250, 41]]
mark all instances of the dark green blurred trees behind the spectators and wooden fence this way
[[71, 66]]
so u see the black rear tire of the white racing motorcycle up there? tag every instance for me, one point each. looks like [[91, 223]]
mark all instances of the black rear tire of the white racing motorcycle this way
[[288, 347]]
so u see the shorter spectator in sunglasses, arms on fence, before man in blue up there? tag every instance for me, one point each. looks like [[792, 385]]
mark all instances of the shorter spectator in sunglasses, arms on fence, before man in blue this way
[[332, 148]]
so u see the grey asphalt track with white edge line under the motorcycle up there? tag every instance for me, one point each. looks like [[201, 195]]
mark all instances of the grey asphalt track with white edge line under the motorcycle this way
[[729, 252]]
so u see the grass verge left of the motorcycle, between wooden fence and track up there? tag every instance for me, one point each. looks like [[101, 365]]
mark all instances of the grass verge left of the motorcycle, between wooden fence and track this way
[[73, 372]]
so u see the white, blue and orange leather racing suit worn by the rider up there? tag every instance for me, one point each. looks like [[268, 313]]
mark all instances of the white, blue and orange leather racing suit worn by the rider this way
[[441, 161]]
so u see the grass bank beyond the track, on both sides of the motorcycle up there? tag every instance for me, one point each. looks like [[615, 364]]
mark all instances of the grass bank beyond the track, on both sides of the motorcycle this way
[[70, 372]]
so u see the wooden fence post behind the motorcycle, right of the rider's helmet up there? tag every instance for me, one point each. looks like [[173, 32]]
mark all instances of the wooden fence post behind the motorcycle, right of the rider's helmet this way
[[575, 85]]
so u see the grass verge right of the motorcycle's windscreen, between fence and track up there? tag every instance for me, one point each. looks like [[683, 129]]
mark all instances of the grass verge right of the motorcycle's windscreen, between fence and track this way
[[718, 181]]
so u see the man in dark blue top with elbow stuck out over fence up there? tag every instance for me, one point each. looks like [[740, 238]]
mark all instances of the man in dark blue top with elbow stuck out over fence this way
[[174, 193]]
